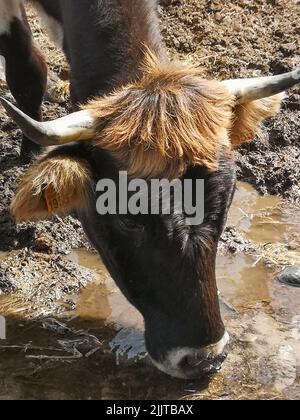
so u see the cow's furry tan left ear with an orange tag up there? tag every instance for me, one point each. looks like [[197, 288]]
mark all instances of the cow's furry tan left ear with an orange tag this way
[[53, 185]]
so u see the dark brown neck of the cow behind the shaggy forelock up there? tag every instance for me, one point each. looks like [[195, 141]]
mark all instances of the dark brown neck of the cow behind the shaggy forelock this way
[[105, 43]]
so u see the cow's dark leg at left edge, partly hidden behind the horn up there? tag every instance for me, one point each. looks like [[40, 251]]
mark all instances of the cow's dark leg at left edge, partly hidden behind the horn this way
[[26, 70]]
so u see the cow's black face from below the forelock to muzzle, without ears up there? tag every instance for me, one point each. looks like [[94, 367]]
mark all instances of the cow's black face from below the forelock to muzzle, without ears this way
[[166, 269]]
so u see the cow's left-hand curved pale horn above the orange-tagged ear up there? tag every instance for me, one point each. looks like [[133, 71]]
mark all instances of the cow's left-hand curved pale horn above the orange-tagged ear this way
[[76, 126]]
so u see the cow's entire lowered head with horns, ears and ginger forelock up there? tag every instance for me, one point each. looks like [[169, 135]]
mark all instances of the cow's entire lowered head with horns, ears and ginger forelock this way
[[171, 123]]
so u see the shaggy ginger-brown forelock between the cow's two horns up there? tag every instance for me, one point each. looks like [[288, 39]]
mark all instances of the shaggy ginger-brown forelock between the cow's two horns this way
[[170, 119]]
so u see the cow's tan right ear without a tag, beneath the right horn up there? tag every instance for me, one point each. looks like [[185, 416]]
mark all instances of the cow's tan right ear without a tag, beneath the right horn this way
[[249, 116]]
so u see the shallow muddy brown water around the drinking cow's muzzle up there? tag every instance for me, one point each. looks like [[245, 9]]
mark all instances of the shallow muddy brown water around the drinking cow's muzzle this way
[[98, 350]]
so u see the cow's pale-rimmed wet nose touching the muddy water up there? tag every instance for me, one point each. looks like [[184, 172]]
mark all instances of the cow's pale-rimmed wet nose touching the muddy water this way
[[190, 363]]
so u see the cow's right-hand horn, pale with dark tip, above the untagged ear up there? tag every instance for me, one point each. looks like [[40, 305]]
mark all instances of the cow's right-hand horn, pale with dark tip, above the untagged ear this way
[[247, 90]]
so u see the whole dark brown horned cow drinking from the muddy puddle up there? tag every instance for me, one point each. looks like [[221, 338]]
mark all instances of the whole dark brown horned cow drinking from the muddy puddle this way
[[138, 112]]
